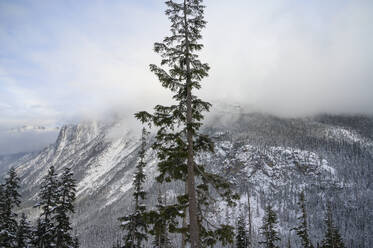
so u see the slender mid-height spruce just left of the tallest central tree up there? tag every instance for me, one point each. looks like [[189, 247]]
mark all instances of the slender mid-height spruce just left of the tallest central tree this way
[[135, 224]]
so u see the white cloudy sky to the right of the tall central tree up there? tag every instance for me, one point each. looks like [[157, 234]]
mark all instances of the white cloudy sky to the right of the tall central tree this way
[[292, 58]]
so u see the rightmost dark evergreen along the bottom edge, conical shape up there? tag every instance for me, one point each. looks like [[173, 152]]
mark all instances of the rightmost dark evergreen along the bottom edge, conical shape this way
[[332, 237]]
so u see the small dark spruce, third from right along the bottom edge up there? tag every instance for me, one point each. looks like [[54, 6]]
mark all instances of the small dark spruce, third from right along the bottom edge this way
[[268, 230]]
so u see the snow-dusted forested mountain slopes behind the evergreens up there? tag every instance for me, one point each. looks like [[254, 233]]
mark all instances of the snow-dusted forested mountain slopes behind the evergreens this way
[[330, 157]]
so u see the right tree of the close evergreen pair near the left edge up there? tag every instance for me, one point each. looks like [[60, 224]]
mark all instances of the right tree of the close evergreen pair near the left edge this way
[[64, 207]]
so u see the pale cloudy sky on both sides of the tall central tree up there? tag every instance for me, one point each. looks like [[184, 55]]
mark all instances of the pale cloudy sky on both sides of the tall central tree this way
[[69, 59]]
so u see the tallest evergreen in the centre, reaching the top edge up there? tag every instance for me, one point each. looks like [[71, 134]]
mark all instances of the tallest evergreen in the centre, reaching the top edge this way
[[178, 140]]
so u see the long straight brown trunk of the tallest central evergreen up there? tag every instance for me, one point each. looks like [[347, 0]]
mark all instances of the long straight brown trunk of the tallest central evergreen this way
[[193, 220]]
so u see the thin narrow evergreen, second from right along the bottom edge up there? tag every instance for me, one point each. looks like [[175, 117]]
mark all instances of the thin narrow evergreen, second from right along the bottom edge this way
[[302, 228]]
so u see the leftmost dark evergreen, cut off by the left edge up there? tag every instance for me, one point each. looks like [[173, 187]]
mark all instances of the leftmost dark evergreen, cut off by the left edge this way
[[8, 216]]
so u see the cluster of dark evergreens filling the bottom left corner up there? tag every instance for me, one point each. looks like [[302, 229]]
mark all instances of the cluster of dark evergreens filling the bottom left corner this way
[[53, 227]]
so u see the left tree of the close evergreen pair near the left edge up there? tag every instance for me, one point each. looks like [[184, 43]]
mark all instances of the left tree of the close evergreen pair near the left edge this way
[[48, 198]]
